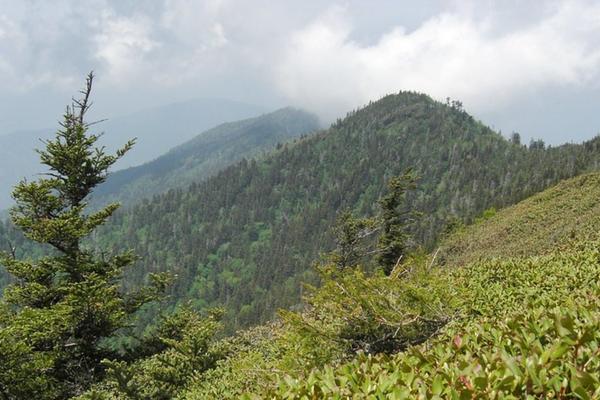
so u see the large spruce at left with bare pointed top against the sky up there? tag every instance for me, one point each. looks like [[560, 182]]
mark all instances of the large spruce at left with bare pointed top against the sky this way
[[62, 309]]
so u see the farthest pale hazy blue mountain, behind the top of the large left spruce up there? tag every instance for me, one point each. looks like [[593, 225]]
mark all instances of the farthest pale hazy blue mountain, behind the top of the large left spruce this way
[[158, 130]]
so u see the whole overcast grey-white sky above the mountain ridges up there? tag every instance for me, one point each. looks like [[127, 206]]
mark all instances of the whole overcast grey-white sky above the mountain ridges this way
[[531, 68]]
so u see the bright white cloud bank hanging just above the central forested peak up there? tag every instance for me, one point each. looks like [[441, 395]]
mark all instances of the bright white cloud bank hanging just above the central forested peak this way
[[451, 54]]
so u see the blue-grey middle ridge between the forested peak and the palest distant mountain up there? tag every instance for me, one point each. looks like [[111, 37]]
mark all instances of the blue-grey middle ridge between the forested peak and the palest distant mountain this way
[[206, 154]]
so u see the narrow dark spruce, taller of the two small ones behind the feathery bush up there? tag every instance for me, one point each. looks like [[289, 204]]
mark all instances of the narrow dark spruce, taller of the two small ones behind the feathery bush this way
[[395, 216]]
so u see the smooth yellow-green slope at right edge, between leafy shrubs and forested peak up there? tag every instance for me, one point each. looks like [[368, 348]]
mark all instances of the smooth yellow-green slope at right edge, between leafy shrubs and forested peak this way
[[535, 226]]
